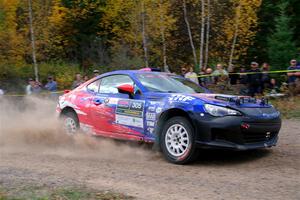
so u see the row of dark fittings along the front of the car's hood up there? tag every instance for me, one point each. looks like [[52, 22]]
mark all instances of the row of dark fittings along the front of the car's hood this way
[[243, 99]]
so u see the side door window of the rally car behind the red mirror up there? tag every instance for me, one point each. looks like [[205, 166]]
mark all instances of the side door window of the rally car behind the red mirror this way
[[109, 84]]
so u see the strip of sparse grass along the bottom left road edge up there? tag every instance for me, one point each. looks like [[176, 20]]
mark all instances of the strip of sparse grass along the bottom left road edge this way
[[67, 193]]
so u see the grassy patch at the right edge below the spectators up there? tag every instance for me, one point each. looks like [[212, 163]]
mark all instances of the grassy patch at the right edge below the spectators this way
[[289, 108]]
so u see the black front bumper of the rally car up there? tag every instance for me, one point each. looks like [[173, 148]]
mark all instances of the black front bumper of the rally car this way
[[236, 132]]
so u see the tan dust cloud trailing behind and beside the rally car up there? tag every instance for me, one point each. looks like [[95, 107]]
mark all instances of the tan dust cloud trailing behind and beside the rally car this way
[[30, 124]]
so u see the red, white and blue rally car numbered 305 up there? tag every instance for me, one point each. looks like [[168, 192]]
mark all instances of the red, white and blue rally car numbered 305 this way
[[170, 111]]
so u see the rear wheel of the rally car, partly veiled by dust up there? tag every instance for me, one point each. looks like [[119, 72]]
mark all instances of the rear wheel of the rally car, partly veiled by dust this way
[[70, 122]]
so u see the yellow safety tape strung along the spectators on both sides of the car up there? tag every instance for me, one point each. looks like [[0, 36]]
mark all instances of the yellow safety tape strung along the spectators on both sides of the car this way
[[192, 76]]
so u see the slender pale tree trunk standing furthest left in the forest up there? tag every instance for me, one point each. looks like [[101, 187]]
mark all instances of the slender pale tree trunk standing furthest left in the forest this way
[[36, 71]]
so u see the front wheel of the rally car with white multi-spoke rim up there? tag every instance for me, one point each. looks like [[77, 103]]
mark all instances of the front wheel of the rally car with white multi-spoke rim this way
[[177, 141]]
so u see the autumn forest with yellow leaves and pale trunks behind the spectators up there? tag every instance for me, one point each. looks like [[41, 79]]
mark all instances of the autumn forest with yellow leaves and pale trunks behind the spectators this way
[[71, 36]]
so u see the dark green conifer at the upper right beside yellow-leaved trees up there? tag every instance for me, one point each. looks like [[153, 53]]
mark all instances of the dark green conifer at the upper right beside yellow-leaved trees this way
[[281, 47]]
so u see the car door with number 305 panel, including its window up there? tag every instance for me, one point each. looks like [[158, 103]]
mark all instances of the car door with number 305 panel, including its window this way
[[114, 114]]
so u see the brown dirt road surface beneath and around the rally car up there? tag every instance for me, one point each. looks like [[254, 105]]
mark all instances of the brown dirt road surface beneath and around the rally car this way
[[34, 151]]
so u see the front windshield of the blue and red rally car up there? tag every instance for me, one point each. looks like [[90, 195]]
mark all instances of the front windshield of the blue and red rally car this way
[[157, 82]]
